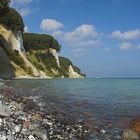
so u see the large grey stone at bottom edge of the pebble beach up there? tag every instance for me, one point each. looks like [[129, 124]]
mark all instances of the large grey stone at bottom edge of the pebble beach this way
[[42, 134]]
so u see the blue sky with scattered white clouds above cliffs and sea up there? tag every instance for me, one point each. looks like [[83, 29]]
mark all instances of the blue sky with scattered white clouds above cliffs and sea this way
[[102, 37]]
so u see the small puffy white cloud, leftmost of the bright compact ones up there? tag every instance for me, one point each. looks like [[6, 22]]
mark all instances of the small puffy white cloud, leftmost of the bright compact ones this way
[[50, 25]]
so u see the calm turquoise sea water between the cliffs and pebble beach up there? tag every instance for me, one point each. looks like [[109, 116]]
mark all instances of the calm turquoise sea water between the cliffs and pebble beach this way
[[103, 99]]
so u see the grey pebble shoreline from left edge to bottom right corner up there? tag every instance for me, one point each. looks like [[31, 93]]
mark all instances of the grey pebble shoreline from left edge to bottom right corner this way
[[29, 117]]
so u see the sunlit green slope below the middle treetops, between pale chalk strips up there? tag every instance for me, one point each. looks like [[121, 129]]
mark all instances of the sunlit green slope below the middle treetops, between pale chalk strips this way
[[45, 61]]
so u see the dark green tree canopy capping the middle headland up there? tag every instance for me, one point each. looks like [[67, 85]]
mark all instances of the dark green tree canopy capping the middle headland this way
[[39, 42]]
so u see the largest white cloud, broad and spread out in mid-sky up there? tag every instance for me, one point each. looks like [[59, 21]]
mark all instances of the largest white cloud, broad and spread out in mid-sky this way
[[84, 35]]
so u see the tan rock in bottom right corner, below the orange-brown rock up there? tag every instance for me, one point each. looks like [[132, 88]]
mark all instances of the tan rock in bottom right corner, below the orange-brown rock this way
[[130, 135]]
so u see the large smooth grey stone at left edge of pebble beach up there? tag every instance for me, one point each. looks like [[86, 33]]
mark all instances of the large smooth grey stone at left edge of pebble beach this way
[[4, 111]]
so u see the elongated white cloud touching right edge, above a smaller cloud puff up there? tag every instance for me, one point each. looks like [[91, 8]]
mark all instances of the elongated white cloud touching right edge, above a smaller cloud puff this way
[[128, 35]]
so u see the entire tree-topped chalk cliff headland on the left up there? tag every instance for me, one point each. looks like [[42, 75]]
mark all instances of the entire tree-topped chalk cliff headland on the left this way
[[26, 55]]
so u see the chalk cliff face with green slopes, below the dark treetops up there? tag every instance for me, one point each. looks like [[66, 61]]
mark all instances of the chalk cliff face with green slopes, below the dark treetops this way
[[33, 64]]
